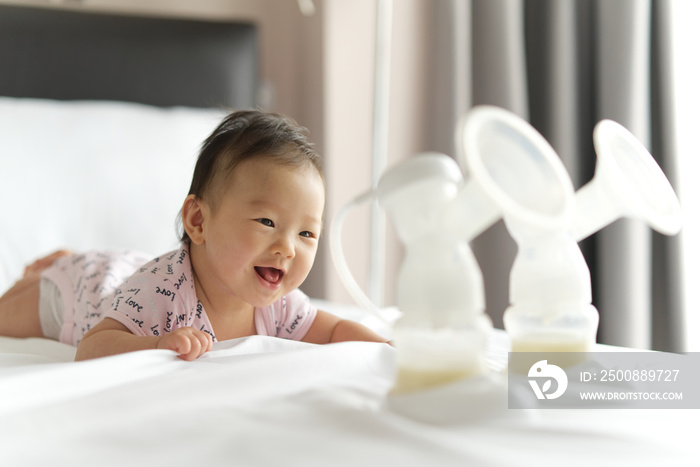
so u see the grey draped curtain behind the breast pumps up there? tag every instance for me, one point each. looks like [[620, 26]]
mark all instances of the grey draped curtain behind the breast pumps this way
[[564, 65]]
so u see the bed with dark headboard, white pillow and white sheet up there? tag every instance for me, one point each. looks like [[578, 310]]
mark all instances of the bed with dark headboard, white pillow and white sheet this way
[[78, 171]]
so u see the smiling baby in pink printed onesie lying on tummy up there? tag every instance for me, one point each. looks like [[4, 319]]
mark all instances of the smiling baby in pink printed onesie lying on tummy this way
[[251, 226]]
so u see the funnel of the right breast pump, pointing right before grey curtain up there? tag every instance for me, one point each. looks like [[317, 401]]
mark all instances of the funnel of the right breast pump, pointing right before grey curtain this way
[[627, 183]]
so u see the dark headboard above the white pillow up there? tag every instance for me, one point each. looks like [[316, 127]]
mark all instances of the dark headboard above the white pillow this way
[[71, 55]]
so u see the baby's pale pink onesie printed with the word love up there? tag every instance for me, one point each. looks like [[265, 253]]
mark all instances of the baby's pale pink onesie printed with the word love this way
[[156, 297]]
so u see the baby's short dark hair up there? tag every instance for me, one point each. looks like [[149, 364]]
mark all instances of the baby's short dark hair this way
[[244, 135]]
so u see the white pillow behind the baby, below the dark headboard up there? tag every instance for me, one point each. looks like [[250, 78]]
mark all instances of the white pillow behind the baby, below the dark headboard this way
[[93, 174]]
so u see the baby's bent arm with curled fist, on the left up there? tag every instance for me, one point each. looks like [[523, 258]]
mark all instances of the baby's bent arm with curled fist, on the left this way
[[110, 337]]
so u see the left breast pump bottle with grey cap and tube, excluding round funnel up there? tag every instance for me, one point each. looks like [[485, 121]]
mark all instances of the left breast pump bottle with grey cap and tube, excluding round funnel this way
[[441, 334]]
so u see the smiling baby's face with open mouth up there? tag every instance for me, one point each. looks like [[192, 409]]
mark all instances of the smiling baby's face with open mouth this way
[[263, 236]]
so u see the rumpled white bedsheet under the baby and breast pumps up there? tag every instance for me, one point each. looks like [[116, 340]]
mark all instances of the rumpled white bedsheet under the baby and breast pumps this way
[[263, 401]]
